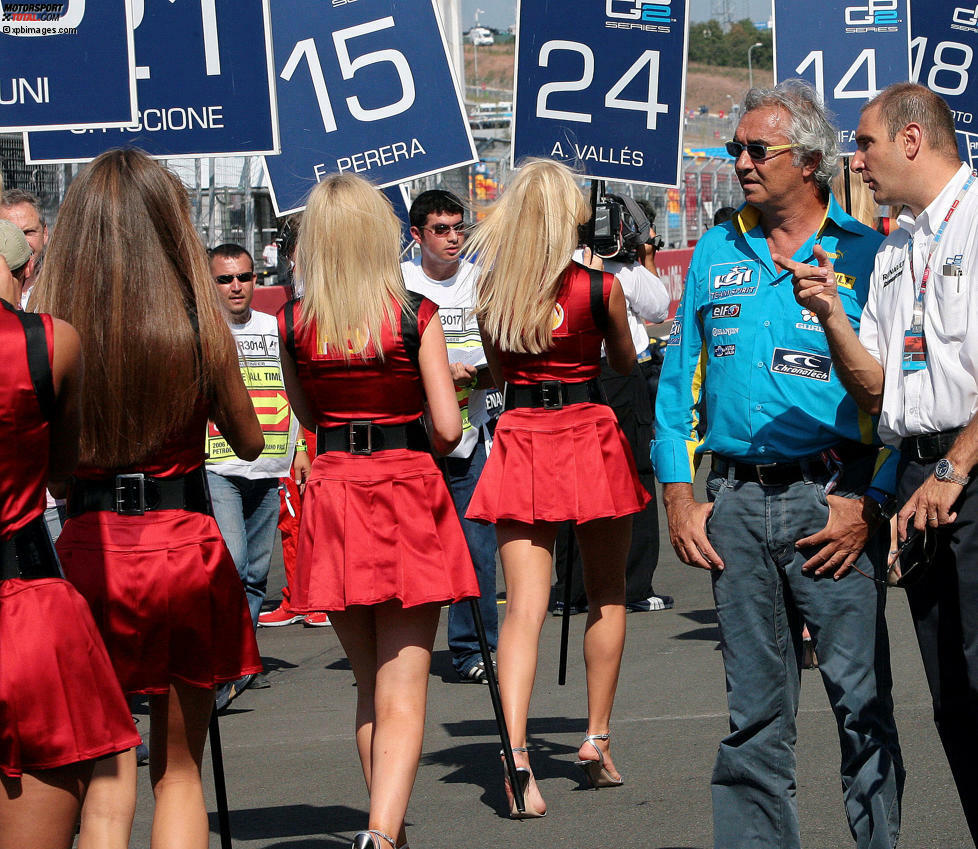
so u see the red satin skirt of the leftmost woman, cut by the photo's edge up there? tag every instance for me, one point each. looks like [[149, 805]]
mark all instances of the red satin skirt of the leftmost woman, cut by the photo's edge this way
[[60, 702]]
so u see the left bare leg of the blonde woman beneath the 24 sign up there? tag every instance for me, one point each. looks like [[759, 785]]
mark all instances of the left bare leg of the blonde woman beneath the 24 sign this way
[[526, 553]]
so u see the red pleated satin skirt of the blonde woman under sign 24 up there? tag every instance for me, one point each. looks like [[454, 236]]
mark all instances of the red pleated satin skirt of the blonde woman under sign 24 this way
[[572, 464]]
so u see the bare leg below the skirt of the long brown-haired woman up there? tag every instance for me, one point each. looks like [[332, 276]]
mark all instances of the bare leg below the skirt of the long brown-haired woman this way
[[178, 730]]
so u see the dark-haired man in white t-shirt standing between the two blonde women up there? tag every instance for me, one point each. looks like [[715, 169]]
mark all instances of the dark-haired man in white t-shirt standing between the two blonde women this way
[[438, 227]]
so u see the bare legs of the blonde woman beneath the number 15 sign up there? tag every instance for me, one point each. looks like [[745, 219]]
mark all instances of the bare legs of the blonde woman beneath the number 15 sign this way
[[389, 648]]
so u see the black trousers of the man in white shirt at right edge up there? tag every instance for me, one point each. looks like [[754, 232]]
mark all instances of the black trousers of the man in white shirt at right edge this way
[[944, 606]]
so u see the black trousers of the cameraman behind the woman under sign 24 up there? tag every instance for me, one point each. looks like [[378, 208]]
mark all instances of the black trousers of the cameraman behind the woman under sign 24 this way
[[628, 396]]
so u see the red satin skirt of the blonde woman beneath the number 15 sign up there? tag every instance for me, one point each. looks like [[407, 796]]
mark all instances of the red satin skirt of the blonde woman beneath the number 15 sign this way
[[378, 528]]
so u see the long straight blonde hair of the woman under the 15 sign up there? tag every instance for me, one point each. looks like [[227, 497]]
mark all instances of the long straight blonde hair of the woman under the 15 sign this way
[[348, 258]]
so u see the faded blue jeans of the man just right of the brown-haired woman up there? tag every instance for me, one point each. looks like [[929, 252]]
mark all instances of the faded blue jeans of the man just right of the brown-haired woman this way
[[247, 514]]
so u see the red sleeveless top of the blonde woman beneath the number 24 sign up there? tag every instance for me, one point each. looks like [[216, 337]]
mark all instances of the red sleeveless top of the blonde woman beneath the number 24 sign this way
[[576, 351]]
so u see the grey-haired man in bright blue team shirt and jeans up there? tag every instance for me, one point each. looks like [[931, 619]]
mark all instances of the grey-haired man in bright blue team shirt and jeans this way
[[784, 434]]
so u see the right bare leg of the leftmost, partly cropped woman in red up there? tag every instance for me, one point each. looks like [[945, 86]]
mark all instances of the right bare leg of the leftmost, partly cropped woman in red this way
[[110, 803]]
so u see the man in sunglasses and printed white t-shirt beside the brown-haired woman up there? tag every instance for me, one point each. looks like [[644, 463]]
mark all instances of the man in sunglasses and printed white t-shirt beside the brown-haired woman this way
[[245, 494]]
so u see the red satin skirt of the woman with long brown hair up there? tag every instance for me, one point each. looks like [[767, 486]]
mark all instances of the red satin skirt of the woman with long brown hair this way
[[165, 595]]
